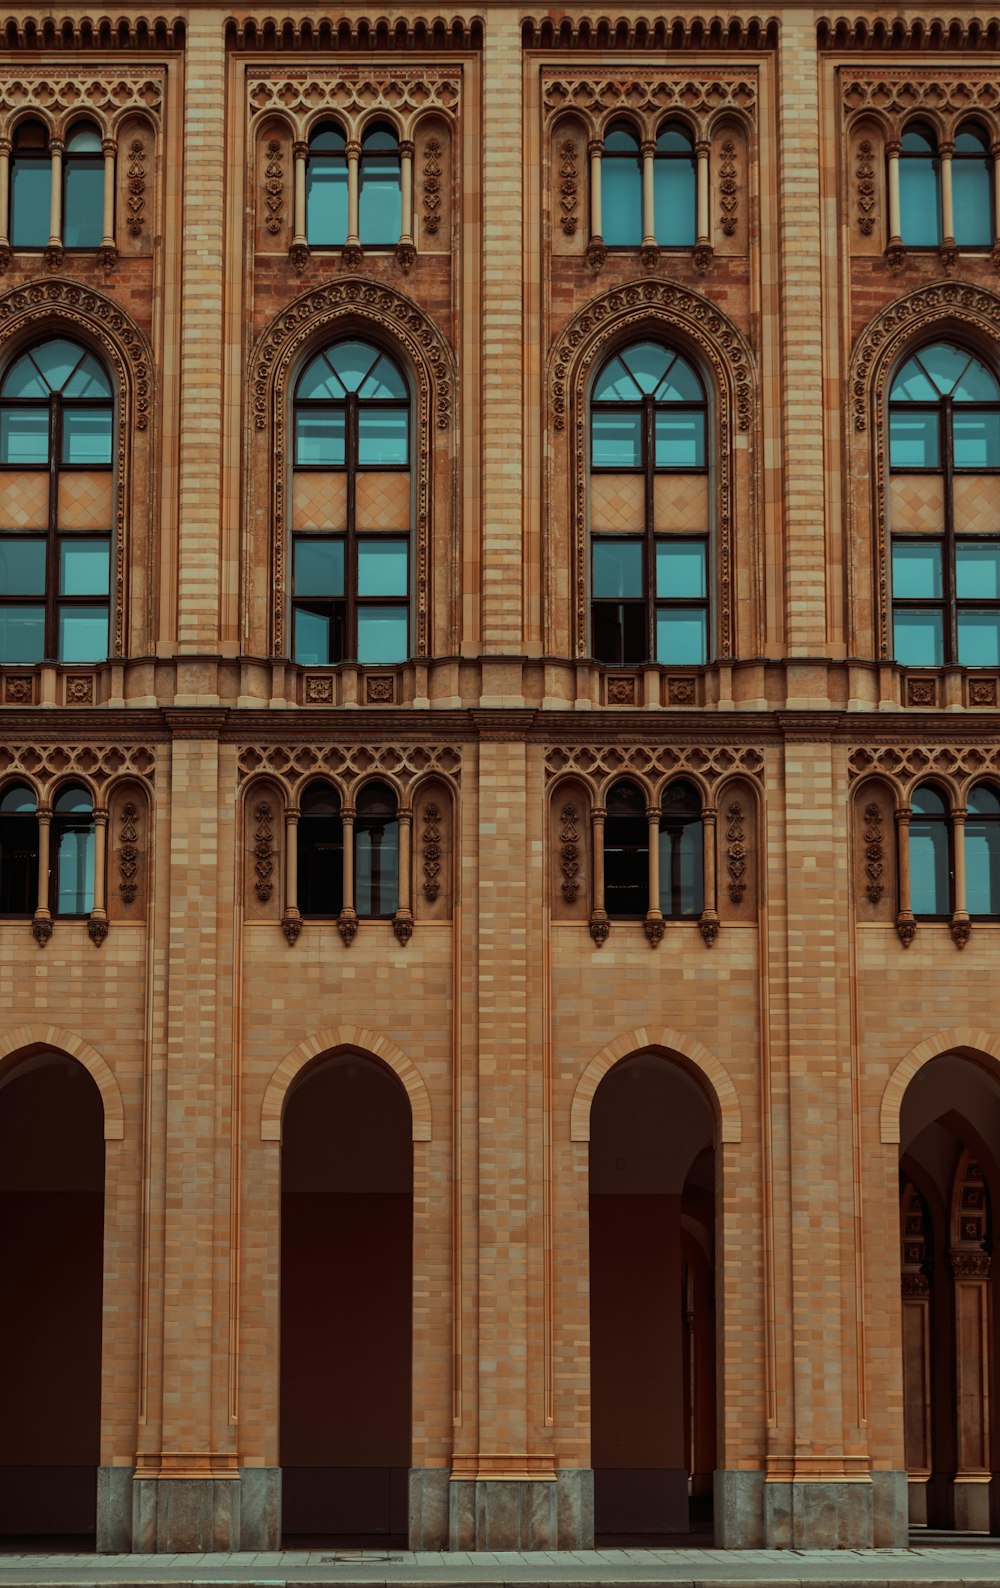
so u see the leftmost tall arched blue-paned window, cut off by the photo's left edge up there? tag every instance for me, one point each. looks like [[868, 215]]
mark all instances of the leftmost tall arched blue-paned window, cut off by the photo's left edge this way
[[56, 514]]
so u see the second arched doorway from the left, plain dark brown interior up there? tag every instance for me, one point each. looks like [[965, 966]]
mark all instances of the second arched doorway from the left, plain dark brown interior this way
[[347, 1303]]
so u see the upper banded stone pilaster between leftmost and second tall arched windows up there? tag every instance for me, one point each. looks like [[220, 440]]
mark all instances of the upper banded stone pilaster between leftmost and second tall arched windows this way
[[202, 352]]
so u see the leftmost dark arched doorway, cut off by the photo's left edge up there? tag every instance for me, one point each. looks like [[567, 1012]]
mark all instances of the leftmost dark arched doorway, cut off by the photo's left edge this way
[[52, 1289]]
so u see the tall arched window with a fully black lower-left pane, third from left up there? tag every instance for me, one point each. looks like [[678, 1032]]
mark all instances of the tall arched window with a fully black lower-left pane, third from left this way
[[648, 509]]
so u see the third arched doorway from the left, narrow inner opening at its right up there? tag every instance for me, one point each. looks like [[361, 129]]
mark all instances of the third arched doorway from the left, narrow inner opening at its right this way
[[653, 1336]]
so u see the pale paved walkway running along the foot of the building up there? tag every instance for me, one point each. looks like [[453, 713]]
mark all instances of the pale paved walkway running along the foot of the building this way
[[947, 1567]]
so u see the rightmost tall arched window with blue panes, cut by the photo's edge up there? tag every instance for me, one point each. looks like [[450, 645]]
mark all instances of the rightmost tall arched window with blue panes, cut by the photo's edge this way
[[944, 444]]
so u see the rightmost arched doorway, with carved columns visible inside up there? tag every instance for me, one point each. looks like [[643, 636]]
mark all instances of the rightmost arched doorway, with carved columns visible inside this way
[[950, 1189]]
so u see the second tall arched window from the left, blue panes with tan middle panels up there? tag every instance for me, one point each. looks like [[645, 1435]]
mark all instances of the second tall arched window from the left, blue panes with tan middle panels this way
[[352, 511]]
